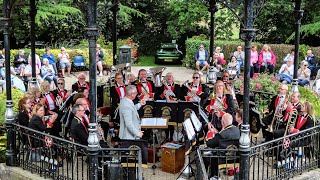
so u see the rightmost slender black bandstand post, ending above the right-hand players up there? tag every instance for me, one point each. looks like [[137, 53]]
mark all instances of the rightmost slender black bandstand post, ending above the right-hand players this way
[[298, 14]]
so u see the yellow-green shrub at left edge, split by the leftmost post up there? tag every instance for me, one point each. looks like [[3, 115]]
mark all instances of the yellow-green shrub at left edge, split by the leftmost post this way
[[16, 95]]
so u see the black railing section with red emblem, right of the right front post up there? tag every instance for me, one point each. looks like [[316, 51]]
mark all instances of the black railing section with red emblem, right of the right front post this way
[[286, 157]]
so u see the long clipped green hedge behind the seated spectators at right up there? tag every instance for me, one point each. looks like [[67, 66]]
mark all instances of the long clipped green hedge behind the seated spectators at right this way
[[228, 47]]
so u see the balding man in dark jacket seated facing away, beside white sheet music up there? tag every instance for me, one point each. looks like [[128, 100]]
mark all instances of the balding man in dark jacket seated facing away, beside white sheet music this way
[[228, 132]]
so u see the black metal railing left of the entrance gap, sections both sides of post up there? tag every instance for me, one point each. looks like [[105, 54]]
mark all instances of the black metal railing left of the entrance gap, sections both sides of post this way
[[57, 158]]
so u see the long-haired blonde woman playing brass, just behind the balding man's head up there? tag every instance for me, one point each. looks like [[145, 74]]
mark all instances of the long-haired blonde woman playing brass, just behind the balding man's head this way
[[221, 102]]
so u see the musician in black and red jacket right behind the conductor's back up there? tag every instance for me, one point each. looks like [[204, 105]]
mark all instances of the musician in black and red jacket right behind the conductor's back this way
[[117, 92]]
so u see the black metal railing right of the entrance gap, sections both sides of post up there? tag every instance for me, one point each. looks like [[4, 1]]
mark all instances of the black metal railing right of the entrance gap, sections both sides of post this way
[[282, 158]]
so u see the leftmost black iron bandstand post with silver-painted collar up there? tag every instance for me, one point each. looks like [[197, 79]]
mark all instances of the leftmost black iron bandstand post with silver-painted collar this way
[[9, 115]]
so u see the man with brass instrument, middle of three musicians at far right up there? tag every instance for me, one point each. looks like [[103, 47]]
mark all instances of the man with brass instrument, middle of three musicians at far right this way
[[292, 110]]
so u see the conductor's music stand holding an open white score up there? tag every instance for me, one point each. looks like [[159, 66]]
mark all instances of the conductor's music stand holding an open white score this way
[[154, 124]]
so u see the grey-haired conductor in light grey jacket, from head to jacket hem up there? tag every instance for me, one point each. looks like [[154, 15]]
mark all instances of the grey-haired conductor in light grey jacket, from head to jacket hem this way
[[130, 128]]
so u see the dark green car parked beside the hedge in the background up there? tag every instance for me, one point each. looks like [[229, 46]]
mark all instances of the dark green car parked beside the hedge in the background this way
[[168, 53]]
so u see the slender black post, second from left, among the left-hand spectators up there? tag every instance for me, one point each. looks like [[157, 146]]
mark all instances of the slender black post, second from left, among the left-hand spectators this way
[[32, 14]]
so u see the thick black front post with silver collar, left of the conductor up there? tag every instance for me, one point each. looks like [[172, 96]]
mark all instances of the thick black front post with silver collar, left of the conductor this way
[[93, 141]]
